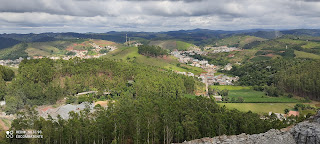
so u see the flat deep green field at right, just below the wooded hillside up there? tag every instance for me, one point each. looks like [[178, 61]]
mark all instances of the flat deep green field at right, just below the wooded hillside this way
[[251, 96]]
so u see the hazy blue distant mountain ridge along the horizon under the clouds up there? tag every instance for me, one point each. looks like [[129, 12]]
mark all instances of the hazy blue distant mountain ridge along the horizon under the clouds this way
[[187, 35]]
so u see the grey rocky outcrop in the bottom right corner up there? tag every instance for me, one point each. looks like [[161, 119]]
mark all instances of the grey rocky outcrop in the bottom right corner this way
[[307, 132]]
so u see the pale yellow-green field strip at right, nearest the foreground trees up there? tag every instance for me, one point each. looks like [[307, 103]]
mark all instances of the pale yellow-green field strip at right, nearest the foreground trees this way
[[259, 107]]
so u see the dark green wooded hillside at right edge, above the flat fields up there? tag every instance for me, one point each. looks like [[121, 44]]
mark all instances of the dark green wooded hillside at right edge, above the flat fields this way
[[295, 76]]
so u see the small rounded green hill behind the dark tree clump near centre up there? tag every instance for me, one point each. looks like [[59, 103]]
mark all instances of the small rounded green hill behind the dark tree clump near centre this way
[[172, 44]]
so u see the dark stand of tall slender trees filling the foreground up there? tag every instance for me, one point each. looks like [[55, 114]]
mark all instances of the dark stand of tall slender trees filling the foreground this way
[[145, 119]]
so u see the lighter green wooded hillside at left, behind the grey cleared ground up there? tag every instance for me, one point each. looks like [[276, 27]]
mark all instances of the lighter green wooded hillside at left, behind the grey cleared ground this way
[[44, 81]]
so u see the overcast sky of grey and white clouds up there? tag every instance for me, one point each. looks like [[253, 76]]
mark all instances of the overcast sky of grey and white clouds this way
[[25, 16]]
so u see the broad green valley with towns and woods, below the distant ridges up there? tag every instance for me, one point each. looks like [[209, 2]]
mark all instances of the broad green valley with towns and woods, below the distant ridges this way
[[236, 74]]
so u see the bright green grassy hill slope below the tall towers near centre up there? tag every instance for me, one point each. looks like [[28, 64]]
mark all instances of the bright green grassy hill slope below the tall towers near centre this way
[[169, 62]]
